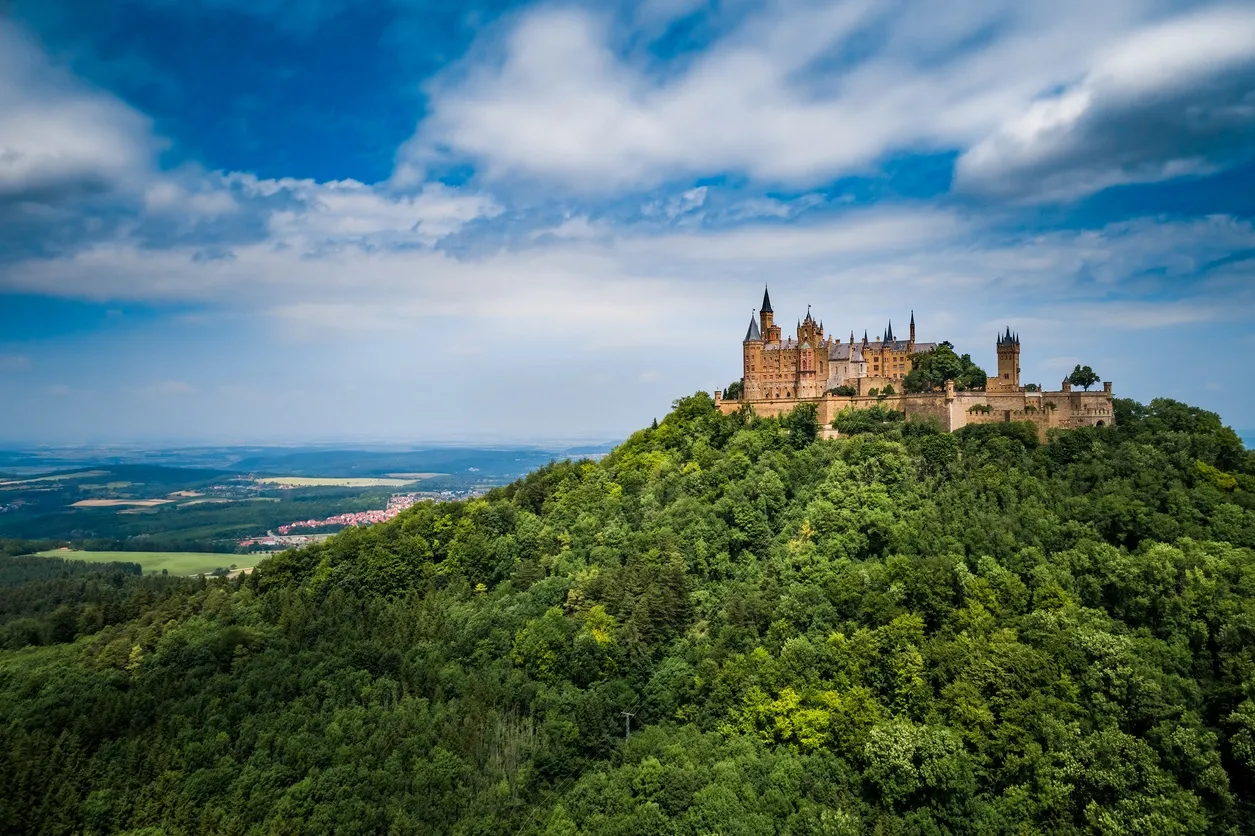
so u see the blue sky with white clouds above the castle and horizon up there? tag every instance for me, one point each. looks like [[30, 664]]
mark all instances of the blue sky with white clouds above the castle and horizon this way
[[243, 222]]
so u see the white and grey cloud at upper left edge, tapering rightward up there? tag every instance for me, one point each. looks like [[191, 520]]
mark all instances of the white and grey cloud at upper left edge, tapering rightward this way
[[78, 166]]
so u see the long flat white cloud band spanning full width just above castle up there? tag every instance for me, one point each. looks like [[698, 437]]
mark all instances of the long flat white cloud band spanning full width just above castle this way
[[634, 289]]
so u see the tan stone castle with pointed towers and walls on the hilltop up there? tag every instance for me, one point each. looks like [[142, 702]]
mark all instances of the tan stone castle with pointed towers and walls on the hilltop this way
[[781, 372]]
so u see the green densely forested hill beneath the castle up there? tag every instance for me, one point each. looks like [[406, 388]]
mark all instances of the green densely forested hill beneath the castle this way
[[900, 632]]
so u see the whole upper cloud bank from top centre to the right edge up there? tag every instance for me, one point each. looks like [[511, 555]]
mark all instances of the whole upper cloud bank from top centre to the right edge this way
[[799, 94]]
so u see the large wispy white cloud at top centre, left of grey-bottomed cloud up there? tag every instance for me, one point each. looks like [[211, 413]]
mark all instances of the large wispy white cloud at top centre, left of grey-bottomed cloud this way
[[798, 94]]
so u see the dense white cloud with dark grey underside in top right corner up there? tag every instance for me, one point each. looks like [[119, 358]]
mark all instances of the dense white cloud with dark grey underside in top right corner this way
[[1172, 100]]
